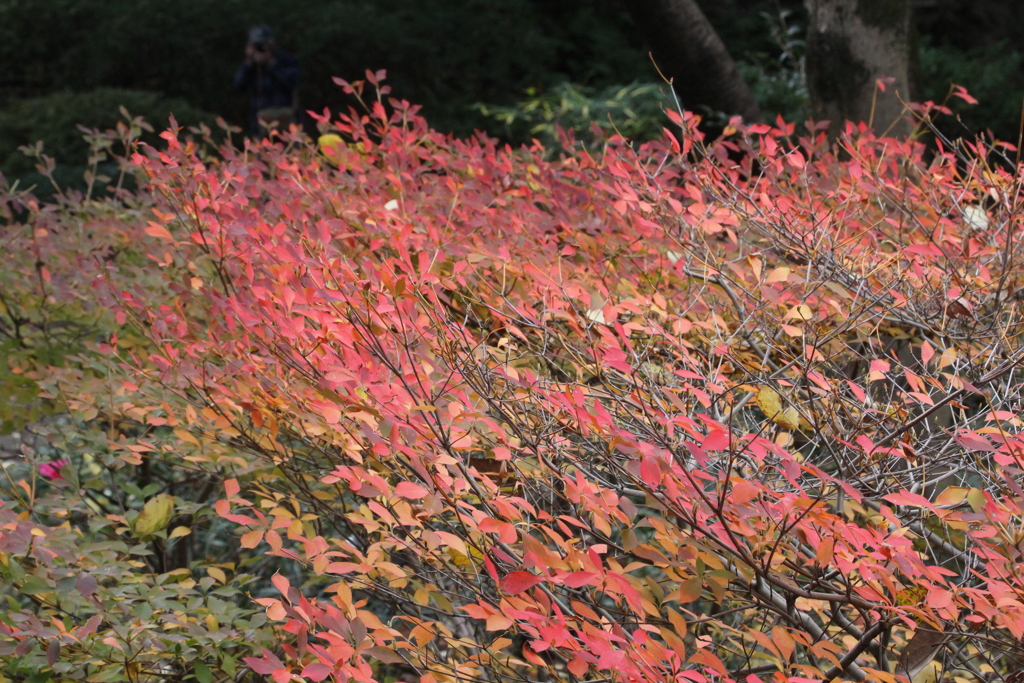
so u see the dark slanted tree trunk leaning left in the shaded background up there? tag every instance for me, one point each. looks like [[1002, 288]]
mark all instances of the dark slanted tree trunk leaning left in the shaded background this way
[[689, 52]]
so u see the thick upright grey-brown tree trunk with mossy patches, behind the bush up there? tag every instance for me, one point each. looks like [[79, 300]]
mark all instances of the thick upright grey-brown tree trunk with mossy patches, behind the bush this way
[[850, 46]]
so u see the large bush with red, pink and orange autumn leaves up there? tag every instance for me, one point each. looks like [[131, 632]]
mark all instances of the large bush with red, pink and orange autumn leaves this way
[[695, 411]]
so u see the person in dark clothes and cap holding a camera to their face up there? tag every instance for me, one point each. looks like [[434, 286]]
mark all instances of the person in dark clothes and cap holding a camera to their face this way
[[272, 78]]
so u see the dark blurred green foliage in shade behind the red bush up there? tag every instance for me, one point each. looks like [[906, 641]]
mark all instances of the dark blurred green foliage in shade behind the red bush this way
[[515, 68]]
